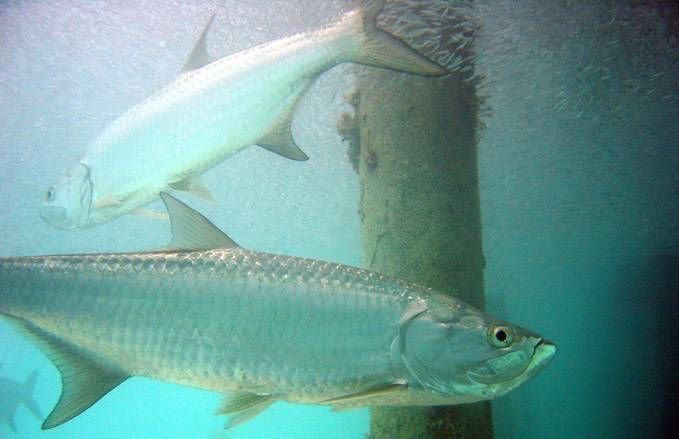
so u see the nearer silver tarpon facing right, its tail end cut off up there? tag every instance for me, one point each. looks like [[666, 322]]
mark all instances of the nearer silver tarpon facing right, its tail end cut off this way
[[257, 327]]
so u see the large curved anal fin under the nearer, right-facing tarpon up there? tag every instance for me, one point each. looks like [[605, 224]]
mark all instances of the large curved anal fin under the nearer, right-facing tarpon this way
[[84, 380]]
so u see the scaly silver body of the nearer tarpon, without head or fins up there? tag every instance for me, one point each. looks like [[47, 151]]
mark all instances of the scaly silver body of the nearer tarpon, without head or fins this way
[[224, 319]]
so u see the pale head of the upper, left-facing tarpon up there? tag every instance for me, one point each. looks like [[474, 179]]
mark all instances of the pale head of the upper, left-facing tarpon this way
[[67, 204]]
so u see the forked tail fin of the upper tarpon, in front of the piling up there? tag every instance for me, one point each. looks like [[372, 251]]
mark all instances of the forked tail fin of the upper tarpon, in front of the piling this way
[[380, 49]]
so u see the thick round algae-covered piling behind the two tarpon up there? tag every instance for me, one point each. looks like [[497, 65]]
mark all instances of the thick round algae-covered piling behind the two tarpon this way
[[414, 146]]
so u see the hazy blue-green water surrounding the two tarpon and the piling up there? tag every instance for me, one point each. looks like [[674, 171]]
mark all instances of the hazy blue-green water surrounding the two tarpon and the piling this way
[[579, 189]]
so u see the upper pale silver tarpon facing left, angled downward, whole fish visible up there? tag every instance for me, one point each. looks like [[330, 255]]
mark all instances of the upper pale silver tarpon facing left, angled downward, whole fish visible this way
[[212, 110]]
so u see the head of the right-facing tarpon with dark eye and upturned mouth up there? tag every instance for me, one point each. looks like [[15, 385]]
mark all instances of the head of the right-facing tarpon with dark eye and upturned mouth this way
[[458, 354]]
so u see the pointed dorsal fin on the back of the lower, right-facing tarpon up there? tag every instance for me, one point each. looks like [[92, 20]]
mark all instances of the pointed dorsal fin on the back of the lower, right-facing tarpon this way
[[191, 230]]
